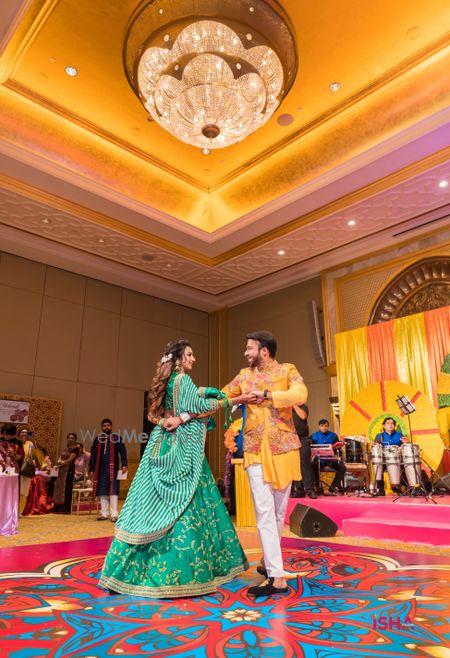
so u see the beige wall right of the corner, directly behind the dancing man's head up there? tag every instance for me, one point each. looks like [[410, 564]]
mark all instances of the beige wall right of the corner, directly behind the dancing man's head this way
[[285, 314]]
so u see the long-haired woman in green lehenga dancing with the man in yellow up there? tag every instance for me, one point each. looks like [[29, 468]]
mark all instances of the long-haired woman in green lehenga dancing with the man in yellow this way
[[174, 536]]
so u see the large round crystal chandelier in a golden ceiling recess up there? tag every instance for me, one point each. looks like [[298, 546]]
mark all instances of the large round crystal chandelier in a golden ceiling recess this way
[[210, 73]]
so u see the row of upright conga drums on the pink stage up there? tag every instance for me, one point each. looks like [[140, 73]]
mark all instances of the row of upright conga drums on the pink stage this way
[[392, 457]]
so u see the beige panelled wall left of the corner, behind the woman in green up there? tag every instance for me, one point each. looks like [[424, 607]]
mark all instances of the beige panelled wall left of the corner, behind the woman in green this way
[[90, 344]]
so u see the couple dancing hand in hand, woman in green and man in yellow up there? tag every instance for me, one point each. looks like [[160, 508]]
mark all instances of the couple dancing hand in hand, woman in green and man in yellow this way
[[174, 537]]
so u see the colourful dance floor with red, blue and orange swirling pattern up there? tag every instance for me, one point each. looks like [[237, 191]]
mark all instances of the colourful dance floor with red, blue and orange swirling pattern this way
[[348, 601]]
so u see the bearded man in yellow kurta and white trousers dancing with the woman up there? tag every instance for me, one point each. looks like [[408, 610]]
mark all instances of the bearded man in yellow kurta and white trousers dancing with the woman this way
[[271, 446]]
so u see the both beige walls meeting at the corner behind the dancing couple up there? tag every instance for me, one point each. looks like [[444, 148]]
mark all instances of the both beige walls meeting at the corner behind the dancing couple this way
[[94, 345]]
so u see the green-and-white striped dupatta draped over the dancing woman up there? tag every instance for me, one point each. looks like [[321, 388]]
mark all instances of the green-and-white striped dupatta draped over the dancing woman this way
[[169, 471]]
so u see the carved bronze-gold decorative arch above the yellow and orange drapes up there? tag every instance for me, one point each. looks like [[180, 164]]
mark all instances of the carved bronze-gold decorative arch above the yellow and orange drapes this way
[[423, 286]]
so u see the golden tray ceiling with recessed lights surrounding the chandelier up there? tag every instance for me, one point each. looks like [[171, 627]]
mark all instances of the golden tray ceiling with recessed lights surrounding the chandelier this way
[[89, 184]]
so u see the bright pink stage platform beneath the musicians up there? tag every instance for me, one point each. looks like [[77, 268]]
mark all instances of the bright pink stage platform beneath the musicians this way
[[414, 520]]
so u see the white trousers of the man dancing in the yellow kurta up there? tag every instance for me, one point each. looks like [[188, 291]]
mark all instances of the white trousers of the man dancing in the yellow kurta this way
[[270, 510]]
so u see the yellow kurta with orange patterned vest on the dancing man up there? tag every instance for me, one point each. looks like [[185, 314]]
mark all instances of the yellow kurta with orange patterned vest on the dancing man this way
[[269, 436]]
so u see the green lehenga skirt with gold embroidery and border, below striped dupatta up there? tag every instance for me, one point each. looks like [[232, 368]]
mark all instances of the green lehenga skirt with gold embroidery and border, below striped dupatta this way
[[200, 552]]
